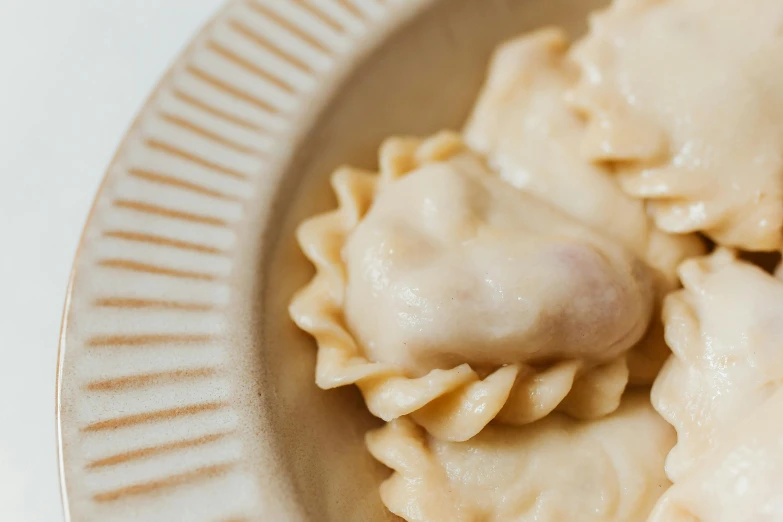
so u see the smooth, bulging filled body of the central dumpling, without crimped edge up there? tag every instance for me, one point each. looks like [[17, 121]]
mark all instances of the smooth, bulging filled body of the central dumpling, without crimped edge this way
[[451, 265]]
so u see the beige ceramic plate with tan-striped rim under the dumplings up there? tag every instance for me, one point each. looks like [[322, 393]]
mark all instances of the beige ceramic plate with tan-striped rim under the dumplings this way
[[185, 393]]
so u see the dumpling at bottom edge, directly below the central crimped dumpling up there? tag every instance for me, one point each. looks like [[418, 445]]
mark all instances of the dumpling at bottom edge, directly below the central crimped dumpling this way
[[555, 470]]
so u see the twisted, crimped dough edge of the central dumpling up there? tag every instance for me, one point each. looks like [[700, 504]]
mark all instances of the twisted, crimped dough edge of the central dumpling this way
[[453, 404]]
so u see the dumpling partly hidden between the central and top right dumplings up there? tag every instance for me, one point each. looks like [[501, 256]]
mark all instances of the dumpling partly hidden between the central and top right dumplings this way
[[529, 134]]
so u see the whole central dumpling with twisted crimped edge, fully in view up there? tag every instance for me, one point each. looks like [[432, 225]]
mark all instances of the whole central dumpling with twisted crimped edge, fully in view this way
[[445, 294]]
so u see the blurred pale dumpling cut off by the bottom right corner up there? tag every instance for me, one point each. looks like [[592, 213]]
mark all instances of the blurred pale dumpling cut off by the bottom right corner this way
[[739, 481]]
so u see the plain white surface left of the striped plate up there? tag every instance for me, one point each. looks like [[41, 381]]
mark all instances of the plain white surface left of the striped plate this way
[[73, 74]]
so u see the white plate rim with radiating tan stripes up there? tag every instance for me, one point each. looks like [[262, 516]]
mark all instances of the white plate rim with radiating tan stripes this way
[[147, 425]]
